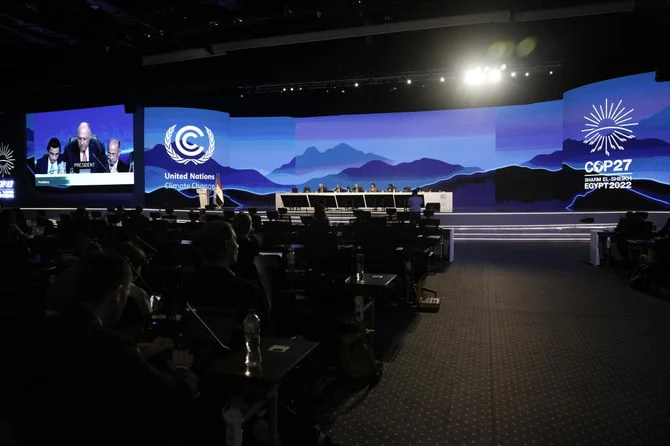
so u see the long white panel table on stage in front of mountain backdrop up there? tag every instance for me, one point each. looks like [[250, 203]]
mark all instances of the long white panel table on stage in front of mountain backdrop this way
[[346, 200]]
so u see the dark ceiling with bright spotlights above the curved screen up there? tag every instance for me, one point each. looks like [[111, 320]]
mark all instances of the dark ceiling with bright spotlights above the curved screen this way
[[67, 53]]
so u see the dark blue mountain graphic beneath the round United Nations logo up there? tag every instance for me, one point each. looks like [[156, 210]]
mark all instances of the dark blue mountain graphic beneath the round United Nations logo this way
[[158, 162]]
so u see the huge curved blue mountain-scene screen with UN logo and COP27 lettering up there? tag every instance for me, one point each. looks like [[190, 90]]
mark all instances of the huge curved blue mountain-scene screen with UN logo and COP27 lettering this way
[[603, 147]]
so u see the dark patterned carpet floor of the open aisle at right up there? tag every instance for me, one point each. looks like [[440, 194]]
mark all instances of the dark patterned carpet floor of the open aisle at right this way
[[532, 345]]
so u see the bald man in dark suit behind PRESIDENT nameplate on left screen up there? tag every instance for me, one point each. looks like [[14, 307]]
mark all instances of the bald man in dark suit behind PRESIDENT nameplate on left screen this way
[[84, 153]]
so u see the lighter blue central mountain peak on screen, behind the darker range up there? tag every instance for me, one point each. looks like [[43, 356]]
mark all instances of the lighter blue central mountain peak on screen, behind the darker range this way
[[333, 160]]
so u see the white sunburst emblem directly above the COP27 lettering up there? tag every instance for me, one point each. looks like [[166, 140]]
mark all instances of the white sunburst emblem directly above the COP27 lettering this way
[[608, 127]]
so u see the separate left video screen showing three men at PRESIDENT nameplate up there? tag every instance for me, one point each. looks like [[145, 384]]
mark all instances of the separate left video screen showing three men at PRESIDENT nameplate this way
[[85, 147]]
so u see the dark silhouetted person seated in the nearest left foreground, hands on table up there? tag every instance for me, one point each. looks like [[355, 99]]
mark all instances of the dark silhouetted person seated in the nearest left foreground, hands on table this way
[[94, 386]]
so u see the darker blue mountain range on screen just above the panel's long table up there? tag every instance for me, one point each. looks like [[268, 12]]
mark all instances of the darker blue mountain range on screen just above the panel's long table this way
[[412, 174]]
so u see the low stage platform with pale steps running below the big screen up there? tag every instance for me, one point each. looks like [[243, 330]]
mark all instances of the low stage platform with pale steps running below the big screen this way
[[514, 227]]
